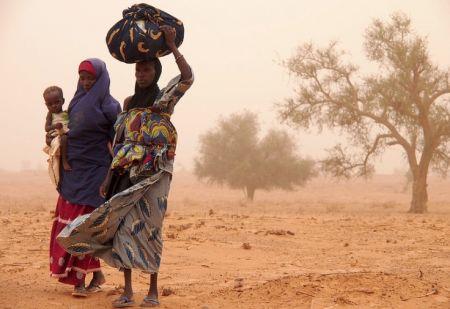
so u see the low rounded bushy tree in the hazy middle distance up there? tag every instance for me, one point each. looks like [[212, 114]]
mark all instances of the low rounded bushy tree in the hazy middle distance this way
[[232, 154]]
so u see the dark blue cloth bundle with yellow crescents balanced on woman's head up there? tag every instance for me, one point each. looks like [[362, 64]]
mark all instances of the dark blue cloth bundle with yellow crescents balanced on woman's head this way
[[136, 37]]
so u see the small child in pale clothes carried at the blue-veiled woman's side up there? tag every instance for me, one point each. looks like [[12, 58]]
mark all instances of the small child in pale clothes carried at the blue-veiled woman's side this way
[[56, 127]]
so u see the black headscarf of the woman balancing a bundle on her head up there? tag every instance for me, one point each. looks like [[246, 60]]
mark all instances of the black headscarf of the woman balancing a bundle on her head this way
[[145, 97]]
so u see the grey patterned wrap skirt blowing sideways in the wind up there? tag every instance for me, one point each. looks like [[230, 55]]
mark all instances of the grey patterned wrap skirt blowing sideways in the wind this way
[[126, 231]]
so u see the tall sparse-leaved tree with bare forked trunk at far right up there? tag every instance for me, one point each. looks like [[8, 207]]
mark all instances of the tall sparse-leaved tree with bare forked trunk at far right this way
[[405, 104]]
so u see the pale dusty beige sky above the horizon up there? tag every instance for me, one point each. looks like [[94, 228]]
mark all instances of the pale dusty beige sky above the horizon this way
[[232, 46]]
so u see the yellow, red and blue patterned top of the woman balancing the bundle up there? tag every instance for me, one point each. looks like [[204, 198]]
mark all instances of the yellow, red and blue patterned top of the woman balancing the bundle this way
[[149, 138]]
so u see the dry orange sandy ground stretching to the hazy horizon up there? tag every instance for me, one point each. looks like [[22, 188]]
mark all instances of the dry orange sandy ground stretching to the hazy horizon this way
[[327, 245]]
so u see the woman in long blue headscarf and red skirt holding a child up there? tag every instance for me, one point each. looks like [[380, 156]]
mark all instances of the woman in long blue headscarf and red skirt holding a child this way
[[92, 114]]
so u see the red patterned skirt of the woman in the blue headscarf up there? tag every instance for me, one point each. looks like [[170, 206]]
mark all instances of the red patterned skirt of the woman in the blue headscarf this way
[[67, 268]]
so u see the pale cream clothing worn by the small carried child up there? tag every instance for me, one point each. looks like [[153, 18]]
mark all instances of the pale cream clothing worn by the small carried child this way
[[54, 150]]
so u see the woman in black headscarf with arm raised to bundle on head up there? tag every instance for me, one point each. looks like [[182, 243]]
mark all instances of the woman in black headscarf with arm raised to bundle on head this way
[[126, 230]]
